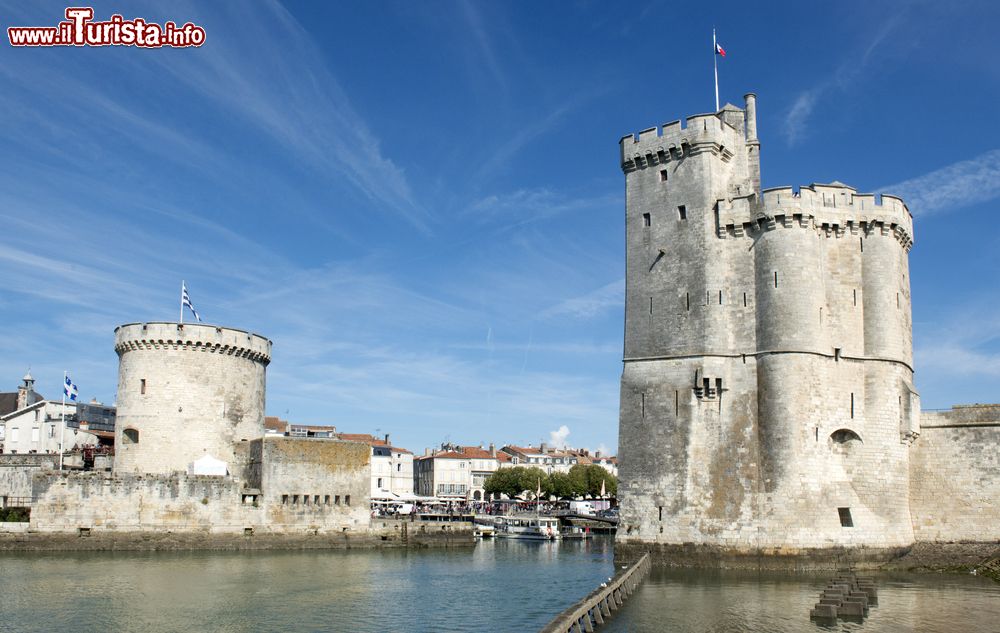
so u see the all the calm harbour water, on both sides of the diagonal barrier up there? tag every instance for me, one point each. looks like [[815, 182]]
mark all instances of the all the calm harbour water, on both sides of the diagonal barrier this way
[[497, 586]]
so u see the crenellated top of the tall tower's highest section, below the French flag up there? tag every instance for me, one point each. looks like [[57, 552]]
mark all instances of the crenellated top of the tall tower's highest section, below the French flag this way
[[675, 140]]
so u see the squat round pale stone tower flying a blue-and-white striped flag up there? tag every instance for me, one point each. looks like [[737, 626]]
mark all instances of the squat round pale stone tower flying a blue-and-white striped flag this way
[[186, 391]]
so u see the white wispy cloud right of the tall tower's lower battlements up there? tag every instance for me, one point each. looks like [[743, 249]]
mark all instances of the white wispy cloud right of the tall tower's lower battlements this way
[[950, 188]]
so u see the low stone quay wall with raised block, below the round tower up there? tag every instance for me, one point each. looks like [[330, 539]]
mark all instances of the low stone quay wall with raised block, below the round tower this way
[[296, 485]]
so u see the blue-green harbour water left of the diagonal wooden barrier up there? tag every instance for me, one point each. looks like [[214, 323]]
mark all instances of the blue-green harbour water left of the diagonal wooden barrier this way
[[497, 586]]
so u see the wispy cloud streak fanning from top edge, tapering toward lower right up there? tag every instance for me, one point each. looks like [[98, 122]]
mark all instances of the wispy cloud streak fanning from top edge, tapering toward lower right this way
[[282, 85]]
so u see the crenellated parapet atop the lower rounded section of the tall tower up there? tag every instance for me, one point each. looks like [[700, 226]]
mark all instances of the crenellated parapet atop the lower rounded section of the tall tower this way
[[835, 209]]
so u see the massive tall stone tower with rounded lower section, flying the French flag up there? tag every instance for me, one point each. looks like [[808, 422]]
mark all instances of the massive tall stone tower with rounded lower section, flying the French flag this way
[[767, 403]]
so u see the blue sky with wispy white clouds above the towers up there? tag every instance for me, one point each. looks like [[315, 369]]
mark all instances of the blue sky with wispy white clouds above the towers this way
[[420, 202]]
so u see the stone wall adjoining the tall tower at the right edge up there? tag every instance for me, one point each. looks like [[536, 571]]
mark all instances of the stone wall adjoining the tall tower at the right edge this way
[[955, 475]]
